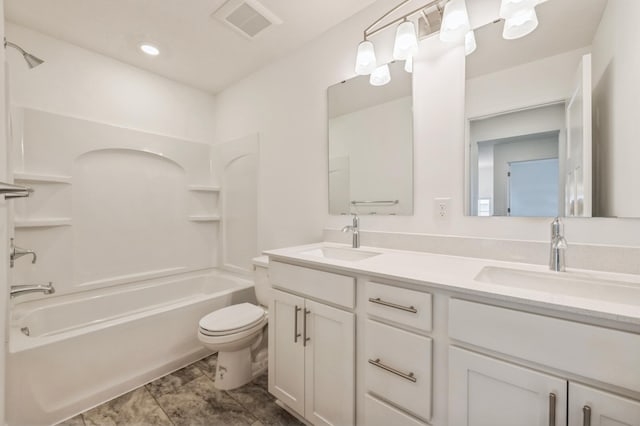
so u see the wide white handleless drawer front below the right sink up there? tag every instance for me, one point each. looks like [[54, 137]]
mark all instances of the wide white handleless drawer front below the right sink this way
[[599, 353]]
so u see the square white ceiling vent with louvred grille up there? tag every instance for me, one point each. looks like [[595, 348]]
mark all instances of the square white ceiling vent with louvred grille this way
[[248, 17]]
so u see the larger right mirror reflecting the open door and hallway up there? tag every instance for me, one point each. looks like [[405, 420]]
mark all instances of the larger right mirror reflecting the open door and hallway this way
[[552, 117]]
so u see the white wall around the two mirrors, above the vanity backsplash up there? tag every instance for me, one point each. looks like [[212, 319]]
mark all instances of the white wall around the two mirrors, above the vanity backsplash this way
[[286, 103]]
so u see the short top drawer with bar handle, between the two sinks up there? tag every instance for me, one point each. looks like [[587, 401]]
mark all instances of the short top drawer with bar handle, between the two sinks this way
[[407, 307]]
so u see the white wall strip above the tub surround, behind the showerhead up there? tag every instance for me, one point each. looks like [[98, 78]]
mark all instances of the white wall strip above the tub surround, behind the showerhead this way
[[79, 83]]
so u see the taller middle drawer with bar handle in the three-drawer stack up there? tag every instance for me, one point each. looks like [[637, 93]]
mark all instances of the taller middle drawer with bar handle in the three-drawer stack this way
[[399, 367]]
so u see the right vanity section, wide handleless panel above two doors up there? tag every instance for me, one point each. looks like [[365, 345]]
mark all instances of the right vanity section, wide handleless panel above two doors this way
[[484, 390]]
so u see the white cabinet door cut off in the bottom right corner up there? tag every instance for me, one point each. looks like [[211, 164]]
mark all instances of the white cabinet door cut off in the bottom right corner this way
[[603, 408]]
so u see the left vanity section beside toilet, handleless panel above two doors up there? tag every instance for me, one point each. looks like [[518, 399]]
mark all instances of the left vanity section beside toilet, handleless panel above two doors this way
[[312, 345]]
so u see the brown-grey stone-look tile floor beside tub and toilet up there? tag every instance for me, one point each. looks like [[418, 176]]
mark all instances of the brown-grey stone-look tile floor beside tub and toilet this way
[[188, 397]]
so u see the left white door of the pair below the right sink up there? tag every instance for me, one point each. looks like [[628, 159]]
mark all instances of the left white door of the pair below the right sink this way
[[484, 391]]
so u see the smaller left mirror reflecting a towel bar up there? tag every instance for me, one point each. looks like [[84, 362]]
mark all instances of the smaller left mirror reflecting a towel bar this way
[[371, 145]]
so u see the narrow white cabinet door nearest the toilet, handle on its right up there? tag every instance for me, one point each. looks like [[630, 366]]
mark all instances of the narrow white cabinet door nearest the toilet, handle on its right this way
[[286, 352]]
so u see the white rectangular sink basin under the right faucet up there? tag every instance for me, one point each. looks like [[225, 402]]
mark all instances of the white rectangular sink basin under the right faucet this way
[[564, 283]]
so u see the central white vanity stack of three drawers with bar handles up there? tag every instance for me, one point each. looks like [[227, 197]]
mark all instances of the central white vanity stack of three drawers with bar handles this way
[[397, 354]]
